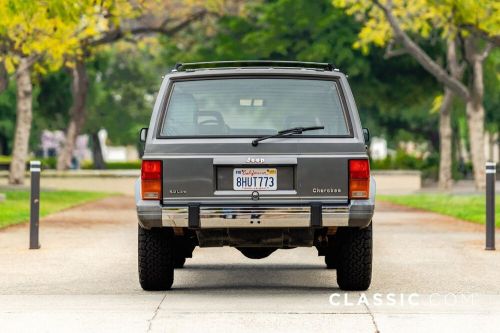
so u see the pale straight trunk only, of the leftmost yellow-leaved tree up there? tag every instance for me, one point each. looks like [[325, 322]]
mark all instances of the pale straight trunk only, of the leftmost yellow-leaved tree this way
[[23, 123]]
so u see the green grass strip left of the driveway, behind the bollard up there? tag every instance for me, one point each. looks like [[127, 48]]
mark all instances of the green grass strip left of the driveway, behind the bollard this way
[[15, 209]]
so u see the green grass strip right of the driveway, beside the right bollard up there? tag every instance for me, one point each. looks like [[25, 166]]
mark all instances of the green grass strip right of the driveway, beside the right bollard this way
[[465, 207]]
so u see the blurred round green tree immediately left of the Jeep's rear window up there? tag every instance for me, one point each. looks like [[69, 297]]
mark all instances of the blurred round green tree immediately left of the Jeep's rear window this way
[[116, 103]]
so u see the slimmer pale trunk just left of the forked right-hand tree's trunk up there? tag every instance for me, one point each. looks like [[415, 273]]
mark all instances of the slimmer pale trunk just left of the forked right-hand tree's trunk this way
[[445, 142]]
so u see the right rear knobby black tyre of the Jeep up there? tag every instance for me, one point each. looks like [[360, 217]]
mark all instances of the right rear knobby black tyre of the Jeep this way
[[354, 261]]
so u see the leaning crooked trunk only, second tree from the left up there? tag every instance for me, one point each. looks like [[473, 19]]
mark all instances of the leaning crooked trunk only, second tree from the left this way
[[79, 90]]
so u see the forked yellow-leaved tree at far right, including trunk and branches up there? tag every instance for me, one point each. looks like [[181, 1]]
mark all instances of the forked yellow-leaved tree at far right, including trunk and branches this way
[[474, 23]]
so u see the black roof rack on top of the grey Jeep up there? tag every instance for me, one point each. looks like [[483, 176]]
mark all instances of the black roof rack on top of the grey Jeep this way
[[187, 67]]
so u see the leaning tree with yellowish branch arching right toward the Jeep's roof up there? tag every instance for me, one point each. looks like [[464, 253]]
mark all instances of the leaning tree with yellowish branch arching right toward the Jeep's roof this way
[[122, 20]]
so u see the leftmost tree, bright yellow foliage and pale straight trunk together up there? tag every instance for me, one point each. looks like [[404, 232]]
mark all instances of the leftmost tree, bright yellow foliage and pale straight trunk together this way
[[32, 35]]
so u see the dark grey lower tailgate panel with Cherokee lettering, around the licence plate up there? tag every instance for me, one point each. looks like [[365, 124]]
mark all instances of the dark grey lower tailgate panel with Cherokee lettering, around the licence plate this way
[[313, 178]]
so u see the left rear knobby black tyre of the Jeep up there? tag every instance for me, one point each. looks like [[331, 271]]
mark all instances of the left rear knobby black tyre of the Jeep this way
[[156, 260]]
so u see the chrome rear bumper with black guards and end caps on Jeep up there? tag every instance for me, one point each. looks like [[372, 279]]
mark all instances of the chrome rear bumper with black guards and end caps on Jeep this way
[[358, 213]]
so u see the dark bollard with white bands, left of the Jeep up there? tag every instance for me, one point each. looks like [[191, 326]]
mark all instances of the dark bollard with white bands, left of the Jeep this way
[[35, 167]]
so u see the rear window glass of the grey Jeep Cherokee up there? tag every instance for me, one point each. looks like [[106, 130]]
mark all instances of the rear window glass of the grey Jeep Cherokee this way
[[253, 107]]
